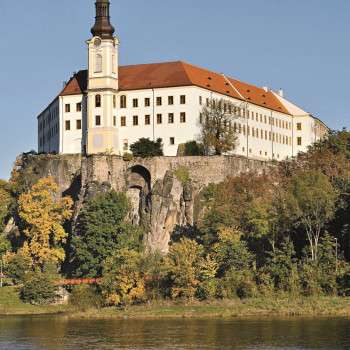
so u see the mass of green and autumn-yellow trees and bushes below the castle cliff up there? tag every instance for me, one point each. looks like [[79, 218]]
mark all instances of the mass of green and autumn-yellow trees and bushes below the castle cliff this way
[[271, 243]]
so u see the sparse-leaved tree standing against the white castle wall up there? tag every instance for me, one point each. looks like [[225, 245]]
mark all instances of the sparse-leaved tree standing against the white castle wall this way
[[217, 131]]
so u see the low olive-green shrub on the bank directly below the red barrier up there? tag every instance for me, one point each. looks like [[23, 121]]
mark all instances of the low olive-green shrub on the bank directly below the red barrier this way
[[85, 297]]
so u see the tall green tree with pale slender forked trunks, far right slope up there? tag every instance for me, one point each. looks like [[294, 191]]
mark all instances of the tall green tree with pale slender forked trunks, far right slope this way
[[311, 199]]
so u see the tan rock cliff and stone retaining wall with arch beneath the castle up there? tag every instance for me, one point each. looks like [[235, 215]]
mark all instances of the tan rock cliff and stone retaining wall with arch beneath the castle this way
[[159, 200]]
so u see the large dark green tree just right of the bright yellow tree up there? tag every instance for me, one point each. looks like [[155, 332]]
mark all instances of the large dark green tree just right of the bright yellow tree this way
[[101, 230]]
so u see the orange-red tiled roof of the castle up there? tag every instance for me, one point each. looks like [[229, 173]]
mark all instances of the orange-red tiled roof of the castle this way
[[175, 74]]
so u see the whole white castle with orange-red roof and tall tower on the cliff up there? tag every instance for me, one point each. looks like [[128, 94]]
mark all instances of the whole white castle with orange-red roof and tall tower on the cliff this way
[[108, 107]]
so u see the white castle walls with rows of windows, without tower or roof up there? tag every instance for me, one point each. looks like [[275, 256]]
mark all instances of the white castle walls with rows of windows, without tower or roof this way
[[265, 134]]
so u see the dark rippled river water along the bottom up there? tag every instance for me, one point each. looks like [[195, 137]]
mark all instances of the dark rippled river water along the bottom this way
[[50, 333]]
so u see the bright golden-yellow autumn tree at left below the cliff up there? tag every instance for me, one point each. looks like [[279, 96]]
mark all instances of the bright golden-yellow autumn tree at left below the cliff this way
[[43, 215]]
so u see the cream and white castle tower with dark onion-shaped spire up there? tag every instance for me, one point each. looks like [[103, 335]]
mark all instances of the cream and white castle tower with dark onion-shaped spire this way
[[101, 131]]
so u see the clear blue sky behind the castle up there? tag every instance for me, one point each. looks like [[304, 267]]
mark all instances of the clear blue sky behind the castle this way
[[301, 46]]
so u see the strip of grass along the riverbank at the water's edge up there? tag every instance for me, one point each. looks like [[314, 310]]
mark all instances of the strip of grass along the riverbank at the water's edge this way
[[281, 306]]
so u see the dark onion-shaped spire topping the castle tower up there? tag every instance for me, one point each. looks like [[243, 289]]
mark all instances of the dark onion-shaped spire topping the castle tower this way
[[103, 27]]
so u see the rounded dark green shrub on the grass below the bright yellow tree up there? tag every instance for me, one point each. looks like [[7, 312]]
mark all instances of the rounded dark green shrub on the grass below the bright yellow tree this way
[[39, 288]]
